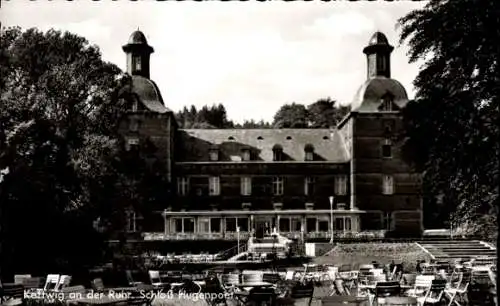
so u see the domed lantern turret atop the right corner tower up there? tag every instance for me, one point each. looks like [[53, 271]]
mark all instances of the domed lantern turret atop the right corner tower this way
[[378, 55]]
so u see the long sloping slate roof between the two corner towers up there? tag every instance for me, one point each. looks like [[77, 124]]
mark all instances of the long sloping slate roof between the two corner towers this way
[[195, 144]]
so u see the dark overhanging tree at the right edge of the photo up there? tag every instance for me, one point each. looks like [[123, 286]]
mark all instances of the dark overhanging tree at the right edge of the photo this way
[[453, 123]]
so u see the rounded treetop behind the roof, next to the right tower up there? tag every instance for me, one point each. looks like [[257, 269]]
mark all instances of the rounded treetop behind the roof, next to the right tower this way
[[324, 113]]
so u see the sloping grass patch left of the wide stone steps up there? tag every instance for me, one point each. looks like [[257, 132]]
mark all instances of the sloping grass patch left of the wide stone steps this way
[[363, 253]]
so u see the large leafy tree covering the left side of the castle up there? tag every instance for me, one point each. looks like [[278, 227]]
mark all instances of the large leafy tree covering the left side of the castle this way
[[57, 122]]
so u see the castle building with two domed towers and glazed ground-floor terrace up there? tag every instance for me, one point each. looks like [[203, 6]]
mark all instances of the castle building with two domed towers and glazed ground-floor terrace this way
[[308, 183]]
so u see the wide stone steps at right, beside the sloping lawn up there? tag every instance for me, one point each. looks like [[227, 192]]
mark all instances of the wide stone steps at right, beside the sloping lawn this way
[[447, 250]]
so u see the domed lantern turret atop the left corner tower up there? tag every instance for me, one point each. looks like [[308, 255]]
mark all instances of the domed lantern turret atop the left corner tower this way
[[138, 53]]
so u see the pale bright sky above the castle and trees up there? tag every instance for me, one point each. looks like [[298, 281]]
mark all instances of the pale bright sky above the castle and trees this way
[[253, 57]]
